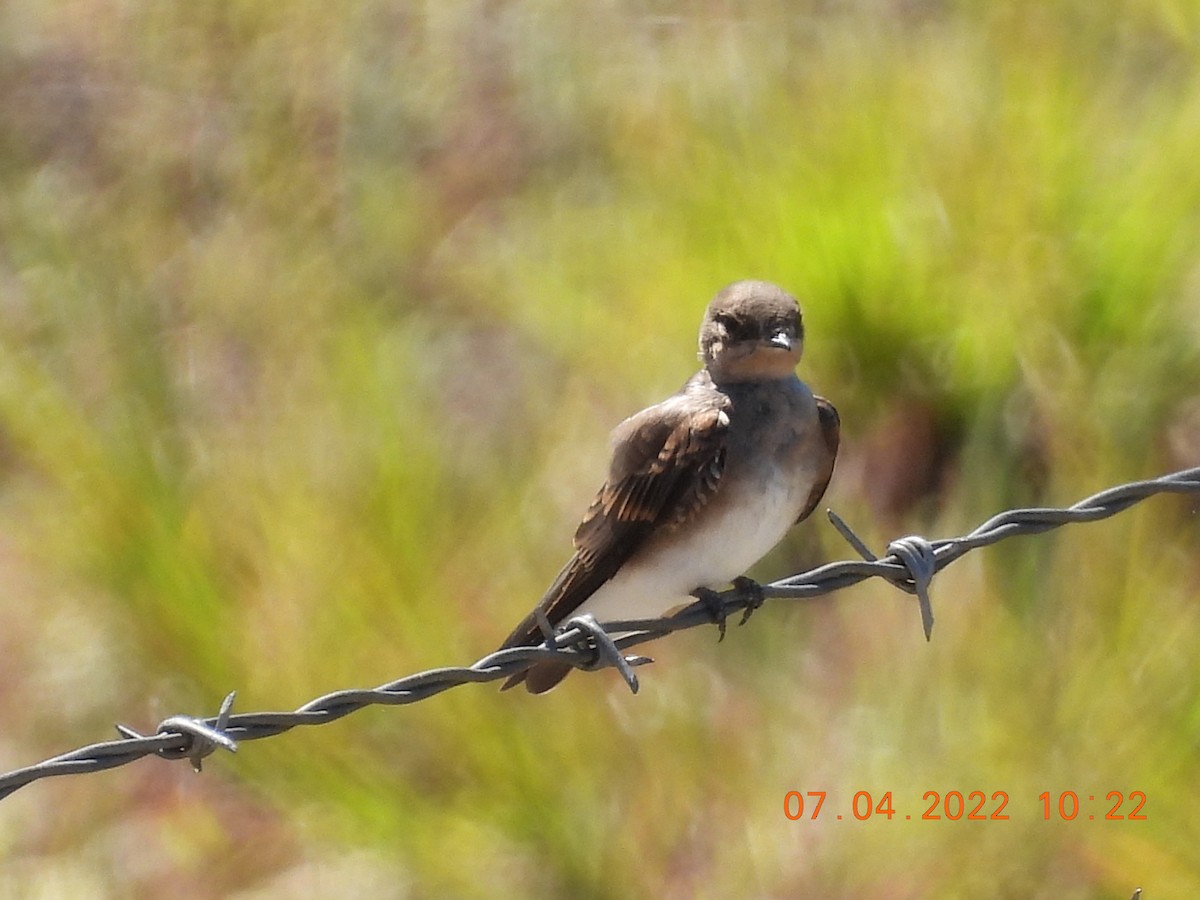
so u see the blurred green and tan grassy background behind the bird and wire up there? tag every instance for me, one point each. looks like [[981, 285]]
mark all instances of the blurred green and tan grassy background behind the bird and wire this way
[[315, 320]]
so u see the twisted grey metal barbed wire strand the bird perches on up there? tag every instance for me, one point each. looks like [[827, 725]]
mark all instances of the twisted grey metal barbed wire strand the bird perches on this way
[[910, 565]]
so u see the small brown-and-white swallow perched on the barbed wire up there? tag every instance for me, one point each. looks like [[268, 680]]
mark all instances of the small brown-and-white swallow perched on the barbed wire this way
[[701, 485]]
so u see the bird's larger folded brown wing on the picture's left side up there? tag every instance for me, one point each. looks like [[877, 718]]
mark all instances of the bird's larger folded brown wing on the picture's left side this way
[[667, 465]]
